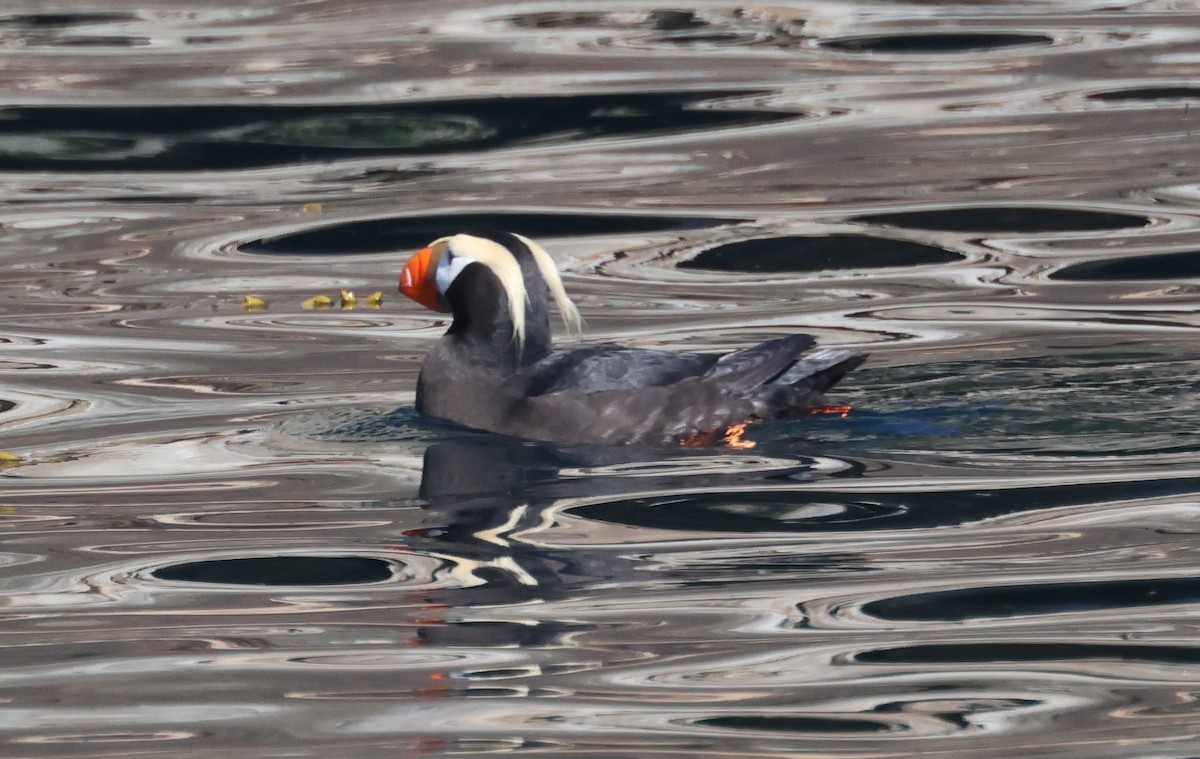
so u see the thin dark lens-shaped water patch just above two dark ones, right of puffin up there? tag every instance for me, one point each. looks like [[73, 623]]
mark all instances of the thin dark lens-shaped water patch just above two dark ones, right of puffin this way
[[1007, 219]]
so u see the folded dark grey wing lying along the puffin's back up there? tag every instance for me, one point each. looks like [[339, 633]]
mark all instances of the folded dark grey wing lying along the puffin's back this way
[[595, 369]]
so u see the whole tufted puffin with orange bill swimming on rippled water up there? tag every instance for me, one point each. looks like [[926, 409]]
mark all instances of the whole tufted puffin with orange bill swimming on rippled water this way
[[496, 369]]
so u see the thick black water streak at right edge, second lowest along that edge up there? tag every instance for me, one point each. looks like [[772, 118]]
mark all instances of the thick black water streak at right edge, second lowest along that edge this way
[[1012, 601]]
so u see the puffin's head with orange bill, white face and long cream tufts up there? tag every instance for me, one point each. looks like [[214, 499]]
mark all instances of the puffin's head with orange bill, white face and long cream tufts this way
[[431, 273]]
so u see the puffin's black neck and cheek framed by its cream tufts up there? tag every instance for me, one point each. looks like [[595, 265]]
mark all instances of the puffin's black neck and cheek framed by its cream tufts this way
[[483, 326]]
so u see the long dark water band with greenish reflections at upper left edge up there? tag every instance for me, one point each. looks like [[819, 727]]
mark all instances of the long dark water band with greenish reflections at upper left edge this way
[[239, 136]]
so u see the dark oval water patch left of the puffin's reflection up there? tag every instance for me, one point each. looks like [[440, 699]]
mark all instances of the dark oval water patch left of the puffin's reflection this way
[[293, 571]]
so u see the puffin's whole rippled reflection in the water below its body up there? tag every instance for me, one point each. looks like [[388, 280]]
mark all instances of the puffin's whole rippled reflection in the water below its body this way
[[493, 507]]
